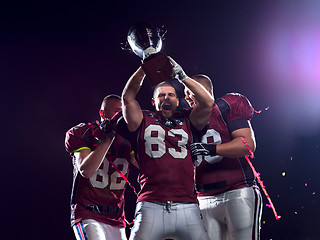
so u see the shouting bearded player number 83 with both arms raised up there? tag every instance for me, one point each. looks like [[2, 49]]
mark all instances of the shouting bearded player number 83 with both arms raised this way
[[167, 206]]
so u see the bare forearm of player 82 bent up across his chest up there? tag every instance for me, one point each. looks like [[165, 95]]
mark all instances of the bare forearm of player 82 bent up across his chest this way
[[91, 163]]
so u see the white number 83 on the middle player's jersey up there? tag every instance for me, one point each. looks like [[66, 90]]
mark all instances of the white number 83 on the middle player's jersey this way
[[155, 145]]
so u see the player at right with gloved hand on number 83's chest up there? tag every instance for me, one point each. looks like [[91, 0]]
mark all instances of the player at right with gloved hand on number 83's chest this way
[[230, 200]]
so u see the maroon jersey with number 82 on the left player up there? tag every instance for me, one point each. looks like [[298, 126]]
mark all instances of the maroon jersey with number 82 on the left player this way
[[104, 191]]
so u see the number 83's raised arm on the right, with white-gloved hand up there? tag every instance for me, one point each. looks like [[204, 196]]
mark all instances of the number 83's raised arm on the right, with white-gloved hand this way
[[200, 114]]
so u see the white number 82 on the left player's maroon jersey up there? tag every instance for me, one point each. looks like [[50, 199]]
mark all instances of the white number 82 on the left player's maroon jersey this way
[[100, 178]]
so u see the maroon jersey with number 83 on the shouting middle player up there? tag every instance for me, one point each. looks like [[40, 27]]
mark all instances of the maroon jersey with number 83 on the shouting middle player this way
[[166, 166]]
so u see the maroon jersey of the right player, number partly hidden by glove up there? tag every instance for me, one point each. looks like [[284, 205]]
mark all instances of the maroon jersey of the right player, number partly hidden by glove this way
[[216, 174]]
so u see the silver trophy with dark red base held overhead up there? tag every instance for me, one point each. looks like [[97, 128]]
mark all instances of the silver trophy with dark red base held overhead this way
[[145, 41]]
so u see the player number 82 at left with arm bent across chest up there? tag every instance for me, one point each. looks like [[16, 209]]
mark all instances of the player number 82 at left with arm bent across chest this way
[[97, 199]]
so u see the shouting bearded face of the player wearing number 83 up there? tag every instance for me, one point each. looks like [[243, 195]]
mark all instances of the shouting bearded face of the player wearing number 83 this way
[[165, 100]]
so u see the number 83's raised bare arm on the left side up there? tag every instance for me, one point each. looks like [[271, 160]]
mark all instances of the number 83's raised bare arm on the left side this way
[[131, 109]]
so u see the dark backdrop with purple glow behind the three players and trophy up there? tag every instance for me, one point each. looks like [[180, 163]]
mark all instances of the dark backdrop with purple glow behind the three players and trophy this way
[[59, 59]]
